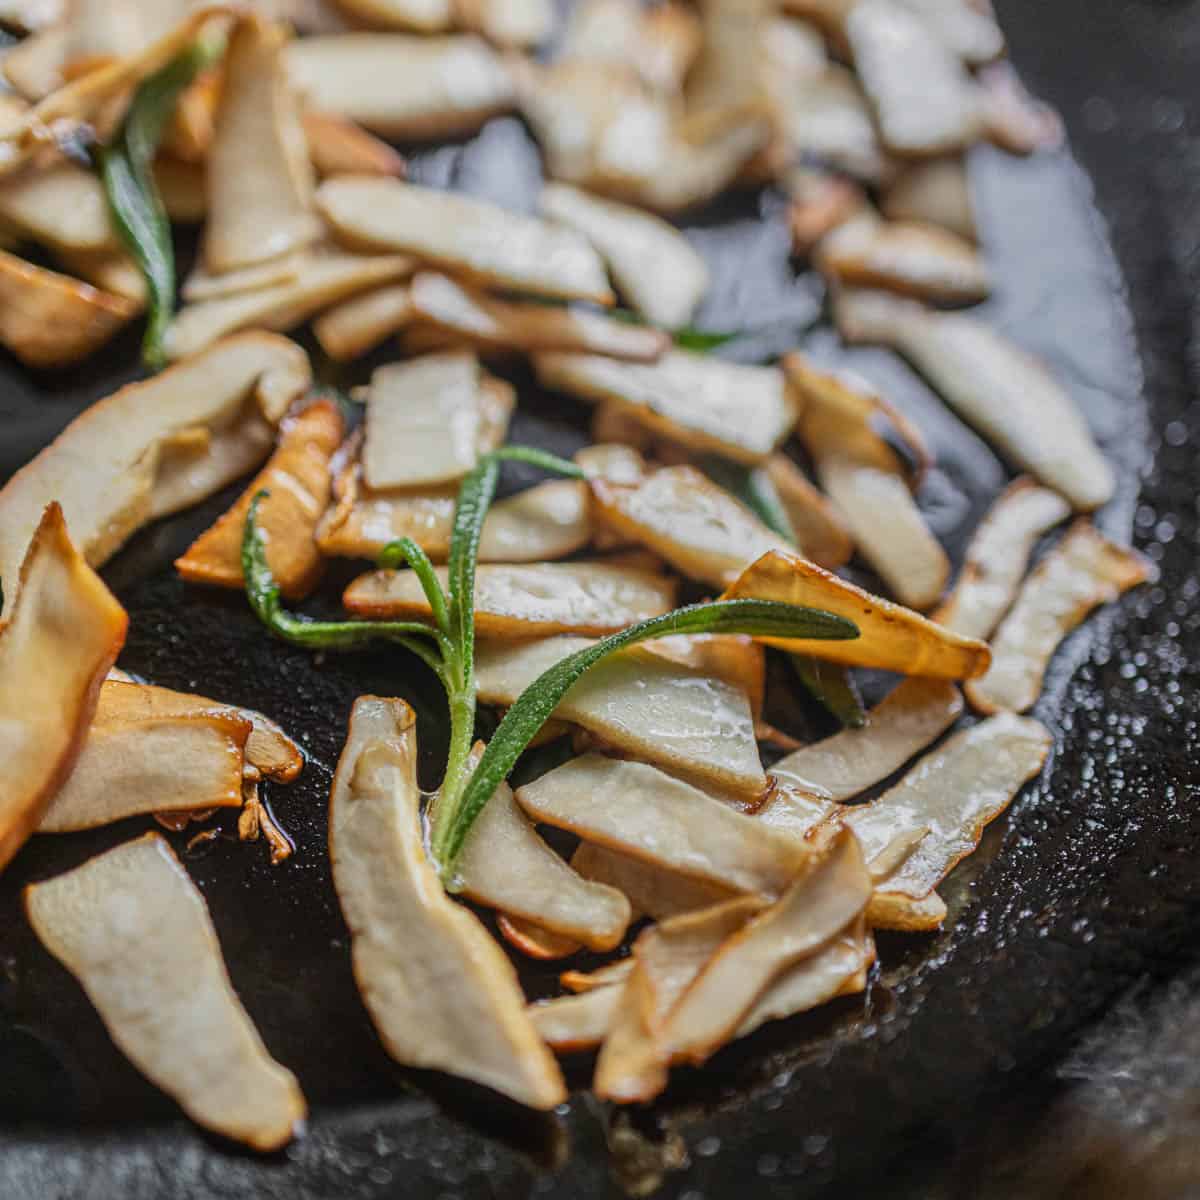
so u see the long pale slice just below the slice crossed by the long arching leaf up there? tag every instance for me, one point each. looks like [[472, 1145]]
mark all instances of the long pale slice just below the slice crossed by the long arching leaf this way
[[645, 814]]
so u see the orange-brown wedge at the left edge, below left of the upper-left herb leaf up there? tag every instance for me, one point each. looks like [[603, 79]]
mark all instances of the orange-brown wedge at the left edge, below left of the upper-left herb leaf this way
[[50, 320]]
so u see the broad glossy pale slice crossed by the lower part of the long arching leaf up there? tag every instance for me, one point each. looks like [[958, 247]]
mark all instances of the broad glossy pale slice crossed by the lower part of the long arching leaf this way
[[691, 723]]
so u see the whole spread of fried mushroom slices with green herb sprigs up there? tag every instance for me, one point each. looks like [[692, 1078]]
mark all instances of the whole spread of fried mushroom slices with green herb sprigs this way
[[725, 893]]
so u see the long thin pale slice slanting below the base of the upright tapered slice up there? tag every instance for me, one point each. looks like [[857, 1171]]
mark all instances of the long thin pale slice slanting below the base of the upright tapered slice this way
[[322, 279]]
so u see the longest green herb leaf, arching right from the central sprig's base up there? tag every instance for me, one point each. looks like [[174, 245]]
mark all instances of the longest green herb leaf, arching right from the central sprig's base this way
[[535, 706]]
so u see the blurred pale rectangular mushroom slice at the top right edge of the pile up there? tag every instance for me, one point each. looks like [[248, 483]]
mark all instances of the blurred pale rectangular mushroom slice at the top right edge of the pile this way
[[922, 94]]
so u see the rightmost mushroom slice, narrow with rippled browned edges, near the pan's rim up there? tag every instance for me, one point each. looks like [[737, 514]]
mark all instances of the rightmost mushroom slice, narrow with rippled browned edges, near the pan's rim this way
[[1078, 575]]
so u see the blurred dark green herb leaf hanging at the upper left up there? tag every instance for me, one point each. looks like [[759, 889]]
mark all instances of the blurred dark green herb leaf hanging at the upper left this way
[[127, 169]]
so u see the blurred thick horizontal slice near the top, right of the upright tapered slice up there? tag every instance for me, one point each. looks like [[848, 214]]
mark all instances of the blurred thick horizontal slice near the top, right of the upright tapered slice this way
[[403, 87]]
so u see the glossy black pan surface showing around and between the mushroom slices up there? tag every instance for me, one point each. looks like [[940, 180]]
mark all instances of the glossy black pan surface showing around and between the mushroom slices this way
[[1088, 884]]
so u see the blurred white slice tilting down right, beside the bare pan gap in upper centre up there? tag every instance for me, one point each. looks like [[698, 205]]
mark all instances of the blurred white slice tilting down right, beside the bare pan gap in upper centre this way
[[655, 267]]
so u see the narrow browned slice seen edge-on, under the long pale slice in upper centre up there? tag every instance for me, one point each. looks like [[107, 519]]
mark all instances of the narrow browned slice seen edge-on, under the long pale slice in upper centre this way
[[494, 323]]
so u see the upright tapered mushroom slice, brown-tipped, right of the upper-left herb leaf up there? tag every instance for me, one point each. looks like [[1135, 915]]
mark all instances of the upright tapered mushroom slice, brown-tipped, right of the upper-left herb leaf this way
[[260, 177]]
